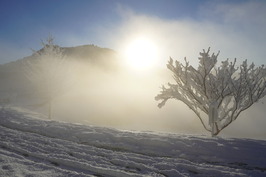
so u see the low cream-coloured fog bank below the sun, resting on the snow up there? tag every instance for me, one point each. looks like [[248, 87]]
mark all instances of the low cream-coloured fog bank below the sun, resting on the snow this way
[[125, 100]]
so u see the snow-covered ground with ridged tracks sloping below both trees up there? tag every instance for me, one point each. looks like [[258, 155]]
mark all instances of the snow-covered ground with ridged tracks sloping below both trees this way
[[31, 146]]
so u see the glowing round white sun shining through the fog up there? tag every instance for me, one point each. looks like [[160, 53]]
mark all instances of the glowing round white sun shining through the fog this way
[[141, 53]]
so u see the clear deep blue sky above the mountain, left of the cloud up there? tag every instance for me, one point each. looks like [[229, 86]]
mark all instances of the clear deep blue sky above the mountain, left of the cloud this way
[[26, 20]]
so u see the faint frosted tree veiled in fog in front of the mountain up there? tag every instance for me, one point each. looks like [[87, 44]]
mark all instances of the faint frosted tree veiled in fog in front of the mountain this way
[[47, 71]]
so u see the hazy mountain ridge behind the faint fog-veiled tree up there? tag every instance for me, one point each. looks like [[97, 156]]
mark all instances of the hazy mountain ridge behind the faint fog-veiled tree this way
[[13, 81]]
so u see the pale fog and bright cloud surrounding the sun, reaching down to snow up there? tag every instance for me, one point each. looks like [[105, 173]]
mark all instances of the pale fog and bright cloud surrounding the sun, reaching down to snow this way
[[124, 99]]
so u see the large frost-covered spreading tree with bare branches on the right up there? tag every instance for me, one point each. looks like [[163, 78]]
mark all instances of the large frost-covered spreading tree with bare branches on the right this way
[[217, 95]]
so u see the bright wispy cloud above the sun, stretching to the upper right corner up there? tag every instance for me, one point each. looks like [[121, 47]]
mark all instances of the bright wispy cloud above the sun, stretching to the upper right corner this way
[[237, 30]]
